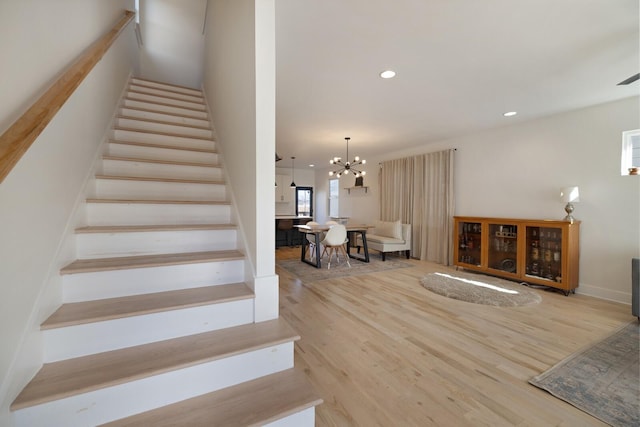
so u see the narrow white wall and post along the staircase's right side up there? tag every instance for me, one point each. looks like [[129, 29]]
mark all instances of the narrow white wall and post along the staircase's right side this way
[[239, 82]]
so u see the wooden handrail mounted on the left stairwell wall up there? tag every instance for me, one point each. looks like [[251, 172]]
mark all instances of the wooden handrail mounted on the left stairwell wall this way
[[16, 140]]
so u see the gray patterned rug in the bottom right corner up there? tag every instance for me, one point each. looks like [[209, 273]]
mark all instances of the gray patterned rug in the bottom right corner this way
[[602, 380]]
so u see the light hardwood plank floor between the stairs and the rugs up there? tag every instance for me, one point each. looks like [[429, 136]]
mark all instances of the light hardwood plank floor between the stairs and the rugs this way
[[383, 351]]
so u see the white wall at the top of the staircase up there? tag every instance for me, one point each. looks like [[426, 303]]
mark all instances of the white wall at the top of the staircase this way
[[173, 41]]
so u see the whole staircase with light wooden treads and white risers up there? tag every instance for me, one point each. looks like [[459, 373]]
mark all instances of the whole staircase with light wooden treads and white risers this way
[[157, 325]]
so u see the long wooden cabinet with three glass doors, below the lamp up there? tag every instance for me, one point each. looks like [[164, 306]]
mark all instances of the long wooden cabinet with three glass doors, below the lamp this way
[[544, 252]]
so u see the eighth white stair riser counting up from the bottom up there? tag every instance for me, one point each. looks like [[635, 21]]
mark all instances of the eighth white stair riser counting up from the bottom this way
[[154, 170]]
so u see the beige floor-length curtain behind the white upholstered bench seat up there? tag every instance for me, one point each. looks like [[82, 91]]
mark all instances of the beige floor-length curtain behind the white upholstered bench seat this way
[[419, 191]]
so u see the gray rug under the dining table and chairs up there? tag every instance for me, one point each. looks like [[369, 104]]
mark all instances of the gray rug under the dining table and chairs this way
[[308, 273]]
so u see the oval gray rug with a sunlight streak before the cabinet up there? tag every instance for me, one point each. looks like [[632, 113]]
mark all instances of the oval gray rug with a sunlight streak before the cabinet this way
[[480, 289]]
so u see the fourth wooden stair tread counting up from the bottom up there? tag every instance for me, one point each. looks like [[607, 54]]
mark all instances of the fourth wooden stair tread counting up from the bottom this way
[[145, 261]]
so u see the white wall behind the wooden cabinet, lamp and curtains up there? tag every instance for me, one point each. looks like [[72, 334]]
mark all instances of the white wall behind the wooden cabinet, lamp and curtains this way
[[517, 171]]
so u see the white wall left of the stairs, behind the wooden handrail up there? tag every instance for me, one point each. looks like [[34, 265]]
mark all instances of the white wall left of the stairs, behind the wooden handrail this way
[[38, 197]]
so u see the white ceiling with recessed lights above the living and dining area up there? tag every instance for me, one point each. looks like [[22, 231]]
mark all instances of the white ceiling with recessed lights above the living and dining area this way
[[460, 65]]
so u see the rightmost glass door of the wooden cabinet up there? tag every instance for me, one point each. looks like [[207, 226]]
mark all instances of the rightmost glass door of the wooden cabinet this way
[[544, 253]]
